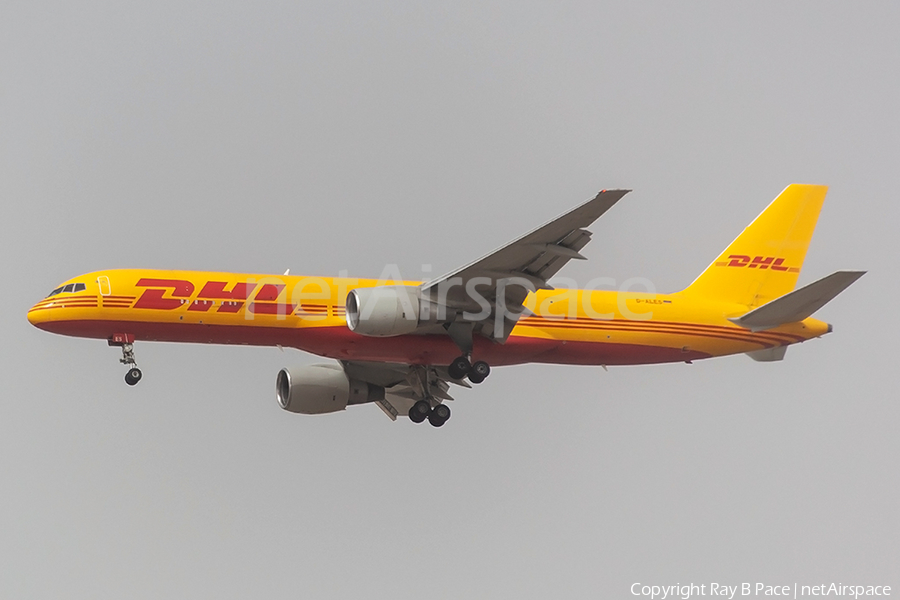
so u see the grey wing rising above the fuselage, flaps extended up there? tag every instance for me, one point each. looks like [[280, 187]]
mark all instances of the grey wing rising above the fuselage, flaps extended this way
[[509, 273]]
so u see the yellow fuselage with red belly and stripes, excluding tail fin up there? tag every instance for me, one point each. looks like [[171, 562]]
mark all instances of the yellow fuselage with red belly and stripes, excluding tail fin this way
[[564, 326]]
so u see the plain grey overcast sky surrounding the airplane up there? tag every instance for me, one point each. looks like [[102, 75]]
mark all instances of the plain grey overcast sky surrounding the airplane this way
[[329, 136]]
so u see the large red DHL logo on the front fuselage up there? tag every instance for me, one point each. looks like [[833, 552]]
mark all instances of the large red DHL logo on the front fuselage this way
[[169, 294]]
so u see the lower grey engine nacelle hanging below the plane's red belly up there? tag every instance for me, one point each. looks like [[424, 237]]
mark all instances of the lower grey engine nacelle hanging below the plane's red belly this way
[[319, 389]]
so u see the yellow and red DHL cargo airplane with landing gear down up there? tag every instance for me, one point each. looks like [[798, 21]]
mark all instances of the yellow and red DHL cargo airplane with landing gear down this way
[[402, 344]]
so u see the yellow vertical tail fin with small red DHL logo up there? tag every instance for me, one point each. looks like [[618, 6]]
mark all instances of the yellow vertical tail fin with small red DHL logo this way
[[763, 263]]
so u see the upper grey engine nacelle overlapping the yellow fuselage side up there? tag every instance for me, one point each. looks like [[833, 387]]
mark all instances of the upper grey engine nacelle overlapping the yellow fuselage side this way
[[383, 311]]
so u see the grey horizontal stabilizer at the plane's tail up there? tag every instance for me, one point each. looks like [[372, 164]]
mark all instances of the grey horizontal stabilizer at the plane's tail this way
[[799, 304]]
